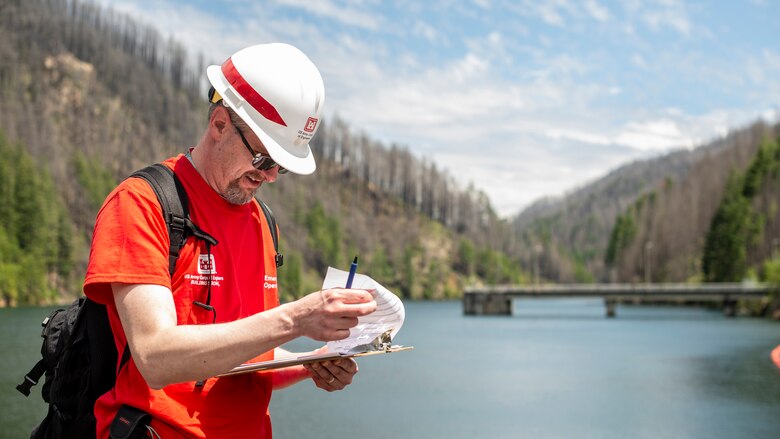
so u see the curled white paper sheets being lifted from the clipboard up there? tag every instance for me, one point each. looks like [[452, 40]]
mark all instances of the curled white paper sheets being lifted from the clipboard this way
[[389, 314]]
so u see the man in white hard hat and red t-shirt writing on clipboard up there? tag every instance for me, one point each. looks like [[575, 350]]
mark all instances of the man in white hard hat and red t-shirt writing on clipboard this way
[[220, 307]]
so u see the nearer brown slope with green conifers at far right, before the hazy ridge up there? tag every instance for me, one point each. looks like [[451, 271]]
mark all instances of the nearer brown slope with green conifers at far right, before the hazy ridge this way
[[714, 224]]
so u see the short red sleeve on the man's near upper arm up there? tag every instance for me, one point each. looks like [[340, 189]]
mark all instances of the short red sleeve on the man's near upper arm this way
[[130, 242]]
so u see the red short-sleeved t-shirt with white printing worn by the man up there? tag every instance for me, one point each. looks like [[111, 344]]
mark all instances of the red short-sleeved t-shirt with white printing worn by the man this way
[[130, 245]]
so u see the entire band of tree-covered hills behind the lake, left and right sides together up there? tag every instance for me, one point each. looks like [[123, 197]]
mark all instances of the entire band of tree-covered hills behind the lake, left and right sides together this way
[[88, 95]]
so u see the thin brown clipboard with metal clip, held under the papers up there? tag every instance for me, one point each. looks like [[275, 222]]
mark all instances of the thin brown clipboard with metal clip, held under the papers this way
[[380, 345]]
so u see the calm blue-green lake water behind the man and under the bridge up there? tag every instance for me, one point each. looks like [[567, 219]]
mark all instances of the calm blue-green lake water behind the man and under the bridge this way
[[556, 369]]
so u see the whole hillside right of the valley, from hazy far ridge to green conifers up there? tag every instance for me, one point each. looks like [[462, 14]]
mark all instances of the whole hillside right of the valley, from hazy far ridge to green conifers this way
[[706, 214]]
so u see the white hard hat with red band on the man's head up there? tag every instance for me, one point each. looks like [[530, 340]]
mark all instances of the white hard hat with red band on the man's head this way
[[279, 93]]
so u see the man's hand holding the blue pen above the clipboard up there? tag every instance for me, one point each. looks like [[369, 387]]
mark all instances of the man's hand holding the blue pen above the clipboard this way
[[328, 315]]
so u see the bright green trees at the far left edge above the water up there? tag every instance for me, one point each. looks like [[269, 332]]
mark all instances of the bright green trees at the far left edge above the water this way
[[36, 248]]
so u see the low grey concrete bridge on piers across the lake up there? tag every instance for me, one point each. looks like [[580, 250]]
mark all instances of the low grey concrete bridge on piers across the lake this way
[[497, 299]]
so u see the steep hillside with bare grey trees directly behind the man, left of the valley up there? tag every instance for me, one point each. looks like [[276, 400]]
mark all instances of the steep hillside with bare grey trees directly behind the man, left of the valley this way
[[88, 95]]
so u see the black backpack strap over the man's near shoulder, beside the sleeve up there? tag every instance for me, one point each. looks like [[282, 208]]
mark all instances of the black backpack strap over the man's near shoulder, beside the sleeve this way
[[175, 206]]
